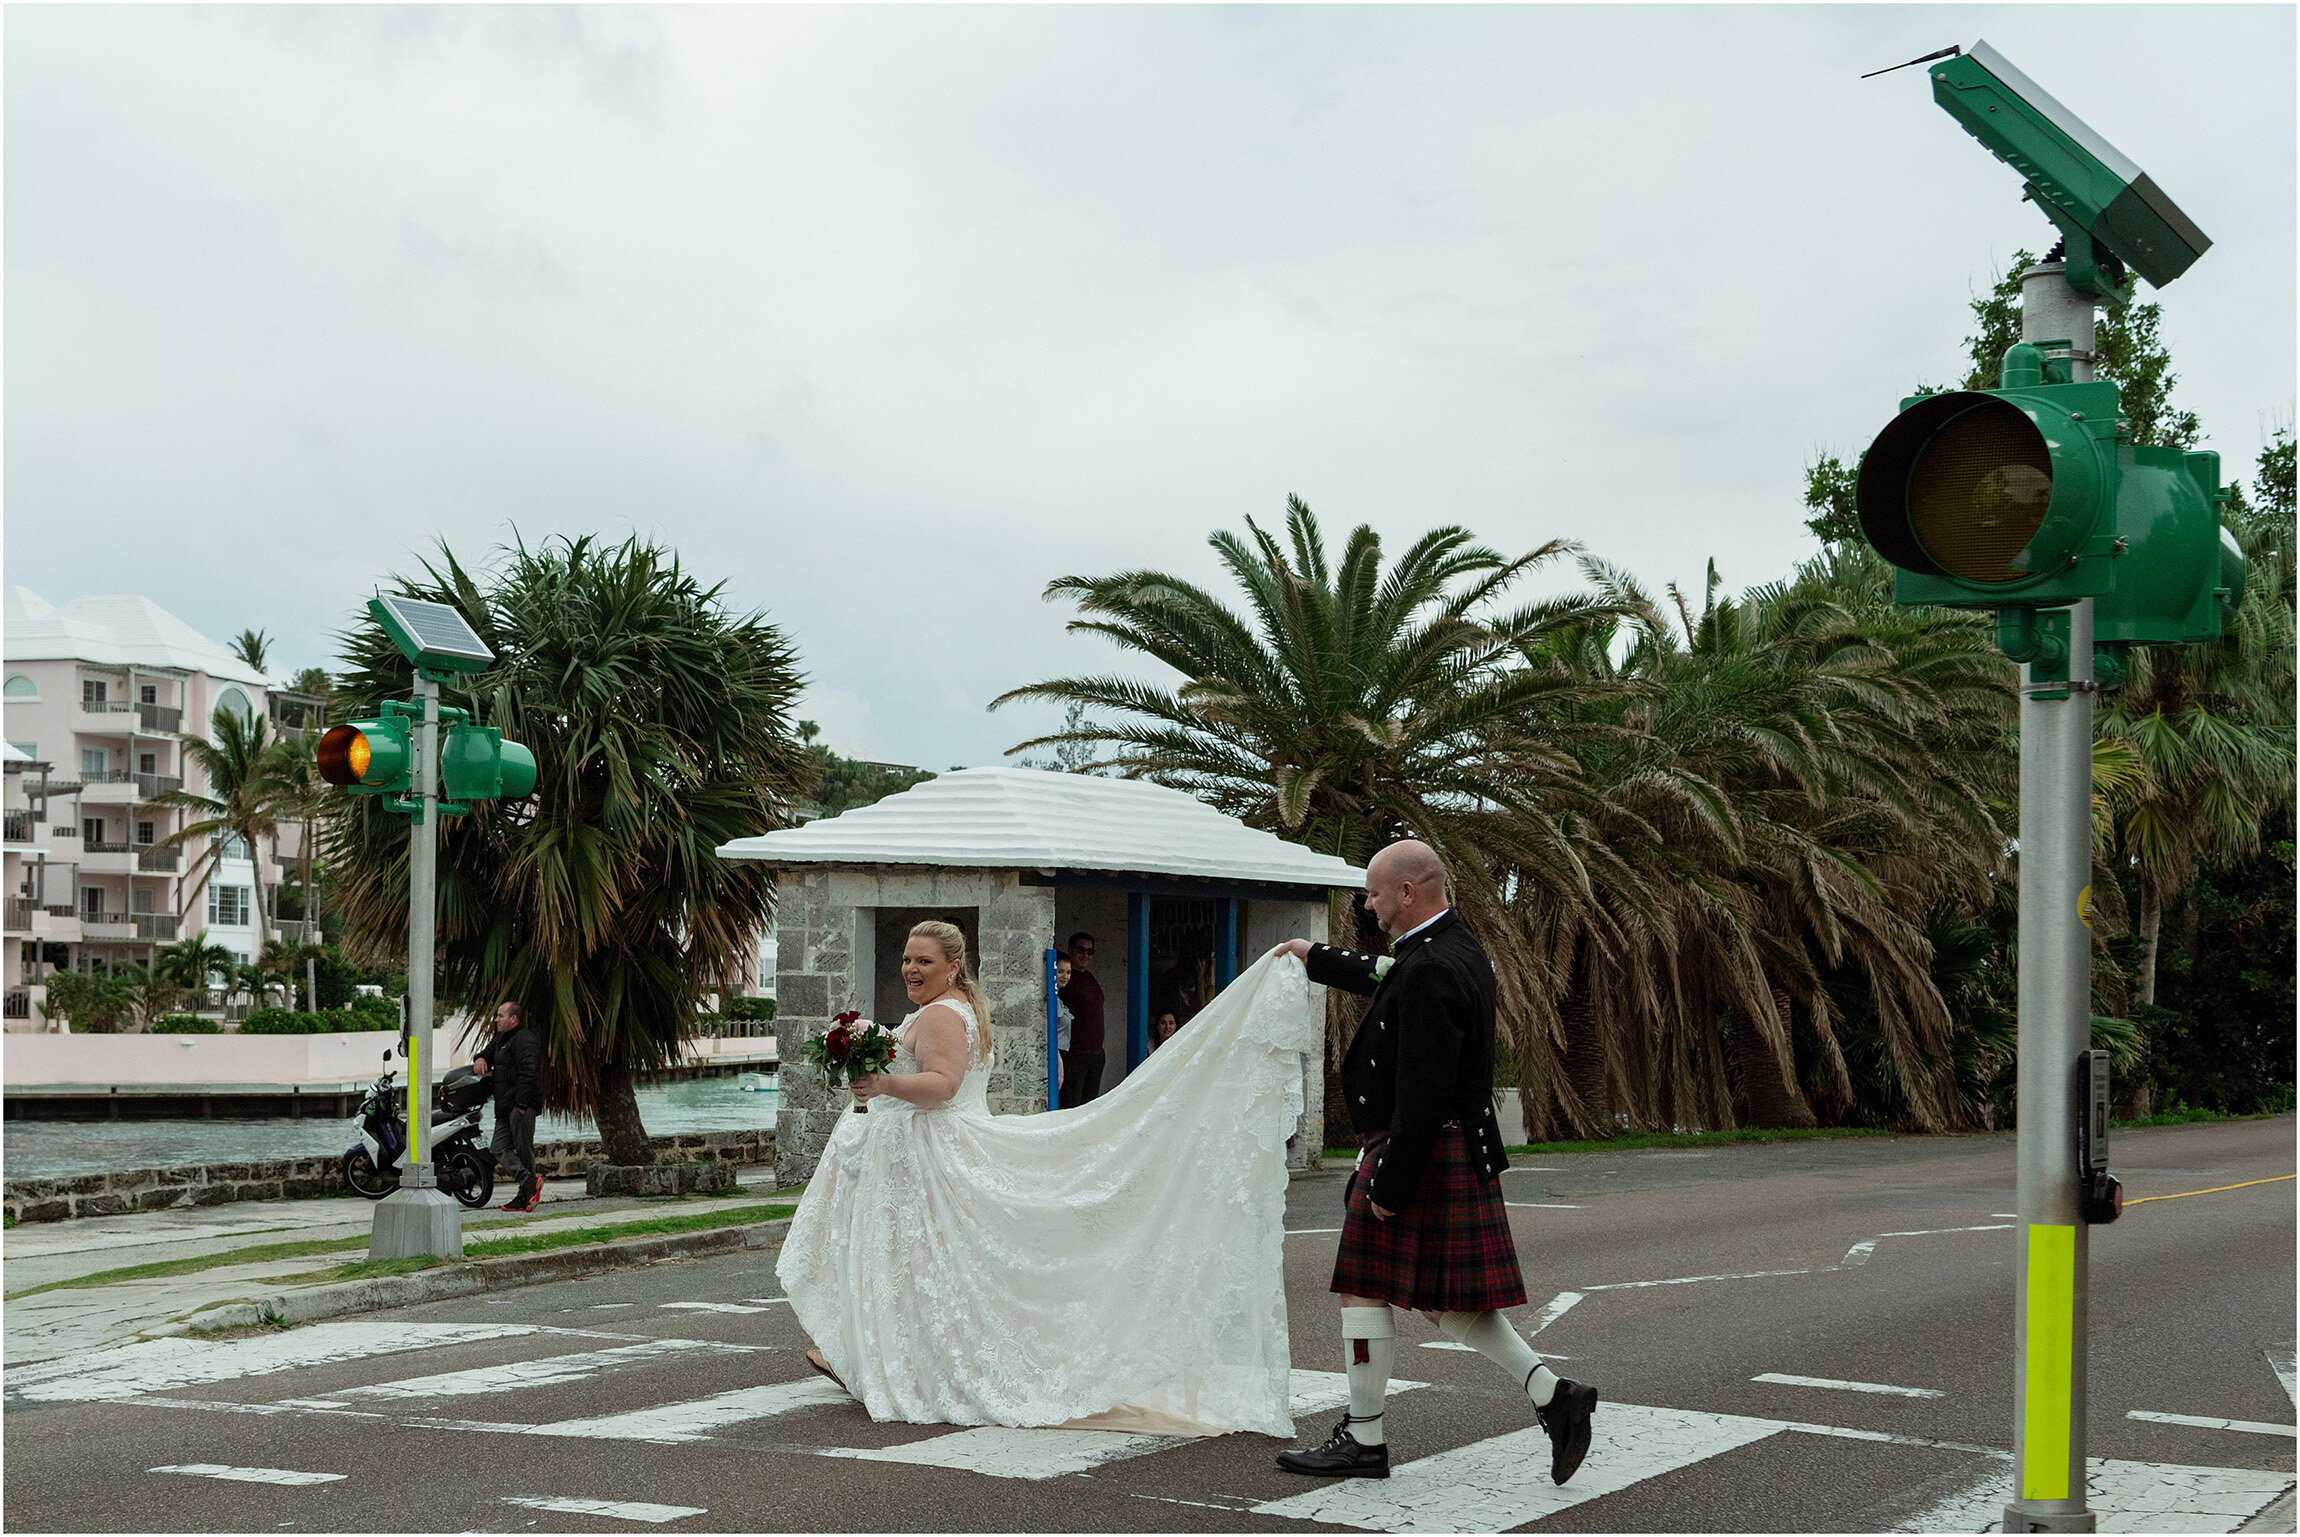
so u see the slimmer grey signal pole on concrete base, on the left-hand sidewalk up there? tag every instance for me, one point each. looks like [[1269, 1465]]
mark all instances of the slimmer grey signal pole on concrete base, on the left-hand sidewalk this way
[[420, 1218]]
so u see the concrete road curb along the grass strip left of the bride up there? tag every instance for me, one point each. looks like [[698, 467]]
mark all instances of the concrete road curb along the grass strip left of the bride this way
[[468, 1278]]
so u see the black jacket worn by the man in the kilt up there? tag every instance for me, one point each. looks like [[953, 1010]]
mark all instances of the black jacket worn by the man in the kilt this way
[[1423, 1055]]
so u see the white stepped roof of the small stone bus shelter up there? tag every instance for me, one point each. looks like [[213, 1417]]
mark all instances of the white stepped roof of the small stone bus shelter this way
[[1036, 820]]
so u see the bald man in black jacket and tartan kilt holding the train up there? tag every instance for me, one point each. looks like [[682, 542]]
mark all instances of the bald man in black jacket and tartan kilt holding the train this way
[[1425, 1218]]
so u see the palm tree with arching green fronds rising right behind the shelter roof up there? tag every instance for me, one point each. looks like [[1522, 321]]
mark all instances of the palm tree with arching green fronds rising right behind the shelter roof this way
[[1351, 708]]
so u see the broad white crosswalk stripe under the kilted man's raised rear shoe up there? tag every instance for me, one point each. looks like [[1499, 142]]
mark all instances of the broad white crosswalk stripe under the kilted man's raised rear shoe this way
[[1505, 1481]]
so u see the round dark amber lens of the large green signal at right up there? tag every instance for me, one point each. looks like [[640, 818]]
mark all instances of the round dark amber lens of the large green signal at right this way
[[1979, 494]]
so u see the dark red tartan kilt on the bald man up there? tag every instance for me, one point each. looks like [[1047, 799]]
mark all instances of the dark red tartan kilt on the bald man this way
[[1450, 1253]]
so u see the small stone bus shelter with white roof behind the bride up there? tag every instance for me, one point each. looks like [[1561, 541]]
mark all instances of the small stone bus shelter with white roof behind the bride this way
[[1174, 894]]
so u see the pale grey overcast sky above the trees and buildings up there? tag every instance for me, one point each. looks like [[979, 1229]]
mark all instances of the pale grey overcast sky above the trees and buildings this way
[[889, 316]]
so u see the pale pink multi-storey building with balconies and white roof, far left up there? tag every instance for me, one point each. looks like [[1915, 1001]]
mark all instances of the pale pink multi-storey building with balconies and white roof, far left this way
[[98, 696]]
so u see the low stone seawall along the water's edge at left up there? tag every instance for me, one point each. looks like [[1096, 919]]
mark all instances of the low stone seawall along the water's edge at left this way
[[128, 1191]]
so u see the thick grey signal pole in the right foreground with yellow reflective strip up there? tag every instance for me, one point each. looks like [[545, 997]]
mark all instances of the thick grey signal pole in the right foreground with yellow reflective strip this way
[[2055, 1023]]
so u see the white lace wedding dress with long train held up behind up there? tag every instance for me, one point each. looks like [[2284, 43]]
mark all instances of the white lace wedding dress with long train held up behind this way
[[1121, 1260]]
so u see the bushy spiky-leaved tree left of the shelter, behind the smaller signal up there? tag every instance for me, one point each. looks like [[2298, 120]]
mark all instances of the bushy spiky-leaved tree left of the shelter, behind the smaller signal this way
[[661, 731]]
